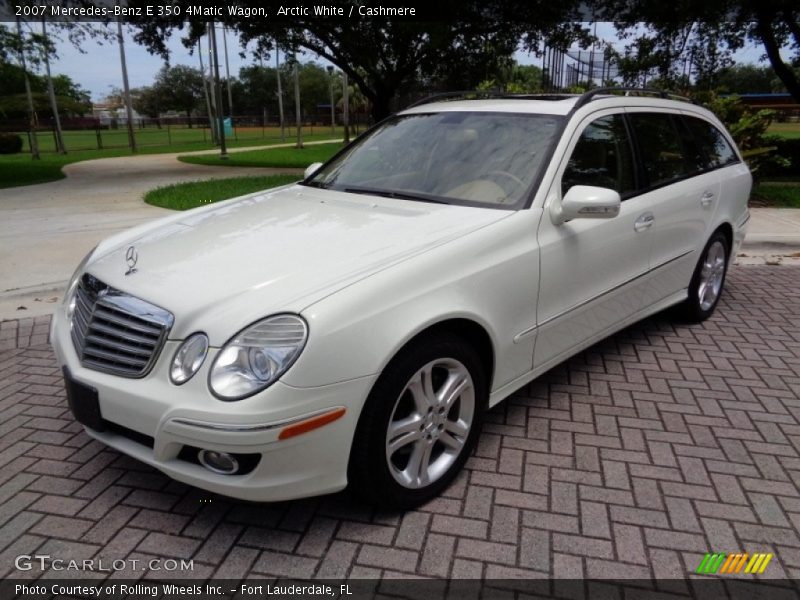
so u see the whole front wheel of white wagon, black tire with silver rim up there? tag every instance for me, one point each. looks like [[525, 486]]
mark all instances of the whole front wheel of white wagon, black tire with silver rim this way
[[411, 439]]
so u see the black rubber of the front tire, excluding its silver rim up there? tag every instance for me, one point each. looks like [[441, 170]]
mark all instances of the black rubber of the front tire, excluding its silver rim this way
[[369, 473]]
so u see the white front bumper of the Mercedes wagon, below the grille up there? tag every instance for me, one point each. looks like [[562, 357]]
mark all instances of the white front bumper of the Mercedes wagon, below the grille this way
[[174, 417]]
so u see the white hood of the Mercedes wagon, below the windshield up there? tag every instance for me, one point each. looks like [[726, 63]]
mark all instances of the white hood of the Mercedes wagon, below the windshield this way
[[219, 269]]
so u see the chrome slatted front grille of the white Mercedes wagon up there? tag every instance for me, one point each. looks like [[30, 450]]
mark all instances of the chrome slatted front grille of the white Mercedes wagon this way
[[115, 332]]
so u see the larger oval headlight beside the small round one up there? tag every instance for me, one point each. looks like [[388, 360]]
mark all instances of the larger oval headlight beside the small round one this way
[[257, 356]]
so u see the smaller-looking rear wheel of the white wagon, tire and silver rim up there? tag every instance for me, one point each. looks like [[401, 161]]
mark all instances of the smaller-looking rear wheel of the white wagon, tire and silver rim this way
[[707, 281]]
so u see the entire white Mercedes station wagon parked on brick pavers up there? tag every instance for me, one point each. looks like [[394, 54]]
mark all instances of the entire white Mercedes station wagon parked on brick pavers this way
[[353, 328]]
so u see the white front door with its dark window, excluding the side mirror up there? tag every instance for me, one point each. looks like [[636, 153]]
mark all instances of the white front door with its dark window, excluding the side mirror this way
[[592, 270]]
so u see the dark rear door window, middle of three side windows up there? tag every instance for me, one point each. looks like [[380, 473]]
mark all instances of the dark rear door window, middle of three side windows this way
[[661, 148]]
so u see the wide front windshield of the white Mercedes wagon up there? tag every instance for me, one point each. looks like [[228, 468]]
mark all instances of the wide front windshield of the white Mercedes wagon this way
[[470, 158]]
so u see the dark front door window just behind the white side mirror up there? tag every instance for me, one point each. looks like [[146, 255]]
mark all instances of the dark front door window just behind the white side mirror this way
[[602, 157]]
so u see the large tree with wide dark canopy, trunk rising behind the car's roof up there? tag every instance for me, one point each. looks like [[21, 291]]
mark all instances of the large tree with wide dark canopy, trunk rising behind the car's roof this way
[[384, 56]]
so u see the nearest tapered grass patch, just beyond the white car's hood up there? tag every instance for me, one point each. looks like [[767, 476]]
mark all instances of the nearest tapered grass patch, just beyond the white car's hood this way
[[183, 196]]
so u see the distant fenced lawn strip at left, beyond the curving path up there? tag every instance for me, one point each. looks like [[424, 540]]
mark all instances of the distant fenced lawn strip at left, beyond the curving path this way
[[20, 169]]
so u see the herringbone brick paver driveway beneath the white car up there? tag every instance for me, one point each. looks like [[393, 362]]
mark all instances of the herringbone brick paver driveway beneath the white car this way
[[631, 460]]
